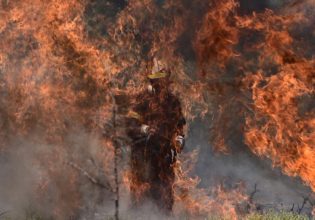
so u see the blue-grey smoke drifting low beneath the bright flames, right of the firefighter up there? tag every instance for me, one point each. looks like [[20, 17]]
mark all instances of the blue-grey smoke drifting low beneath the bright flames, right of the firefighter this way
[[274, 189]]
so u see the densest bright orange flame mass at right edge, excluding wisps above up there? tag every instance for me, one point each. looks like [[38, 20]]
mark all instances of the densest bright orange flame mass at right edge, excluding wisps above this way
[[279, 129]]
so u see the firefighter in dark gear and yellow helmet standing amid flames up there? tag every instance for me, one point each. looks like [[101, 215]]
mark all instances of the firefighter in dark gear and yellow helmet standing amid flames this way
[[155, 125]]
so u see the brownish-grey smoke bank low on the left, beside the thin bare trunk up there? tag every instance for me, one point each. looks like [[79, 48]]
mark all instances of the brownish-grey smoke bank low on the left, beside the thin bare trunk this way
[[51, 181]]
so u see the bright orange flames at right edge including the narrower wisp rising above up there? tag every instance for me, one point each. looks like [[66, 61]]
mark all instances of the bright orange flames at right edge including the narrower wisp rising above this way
[[279, 128]]
